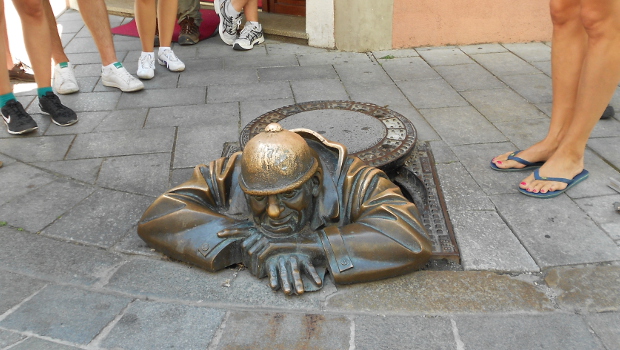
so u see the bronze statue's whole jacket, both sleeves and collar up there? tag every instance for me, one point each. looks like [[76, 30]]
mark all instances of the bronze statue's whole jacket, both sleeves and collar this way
[[367, 228]]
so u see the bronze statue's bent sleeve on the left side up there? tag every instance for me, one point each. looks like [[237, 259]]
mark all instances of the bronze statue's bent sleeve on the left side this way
[[183, 222]]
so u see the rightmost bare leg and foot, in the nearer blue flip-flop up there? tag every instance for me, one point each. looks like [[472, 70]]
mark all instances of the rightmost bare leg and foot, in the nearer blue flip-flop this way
[[598, 81]]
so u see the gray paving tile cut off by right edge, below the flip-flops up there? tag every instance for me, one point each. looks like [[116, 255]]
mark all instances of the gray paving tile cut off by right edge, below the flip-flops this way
[[601, 210]]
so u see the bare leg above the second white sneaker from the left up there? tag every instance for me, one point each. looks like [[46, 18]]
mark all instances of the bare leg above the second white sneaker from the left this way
[[95, 16]]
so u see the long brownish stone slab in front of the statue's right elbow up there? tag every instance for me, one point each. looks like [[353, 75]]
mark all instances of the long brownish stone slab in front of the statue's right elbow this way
[[441, 292]]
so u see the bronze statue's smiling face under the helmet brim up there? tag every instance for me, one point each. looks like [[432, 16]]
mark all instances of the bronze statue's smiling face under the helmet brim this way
[[284, 214]]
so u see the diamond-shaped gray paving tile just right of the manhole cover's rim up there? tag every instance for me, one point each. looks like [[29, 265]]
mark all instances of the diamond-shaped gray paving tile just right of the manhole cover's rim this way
[[462, 125]]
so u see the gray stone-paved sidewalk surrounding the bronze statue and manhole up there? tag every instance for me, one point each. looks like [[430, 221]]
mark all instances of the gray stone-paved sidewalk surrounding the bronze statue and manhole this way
[[74, 275]]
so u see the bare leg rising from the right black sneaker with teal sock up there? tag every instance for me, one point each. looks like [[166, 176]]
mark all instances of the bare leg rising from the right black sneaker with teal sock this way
[[36, 38]]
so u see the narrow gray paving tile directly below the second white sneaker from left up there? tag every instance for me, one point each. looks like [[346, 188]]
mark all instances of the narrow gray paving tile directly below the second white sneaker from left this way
[[163, 98]]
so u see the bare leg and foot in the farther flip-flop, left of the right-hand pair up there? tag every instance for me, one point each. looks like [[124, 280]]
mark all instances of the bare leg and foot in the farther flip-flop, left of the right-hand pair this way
[[567, 54]]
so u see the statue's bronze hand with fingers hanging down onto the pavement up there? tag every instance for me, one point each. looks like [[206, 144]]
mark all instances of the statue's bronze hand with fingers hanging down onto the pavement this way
[[284, 271]]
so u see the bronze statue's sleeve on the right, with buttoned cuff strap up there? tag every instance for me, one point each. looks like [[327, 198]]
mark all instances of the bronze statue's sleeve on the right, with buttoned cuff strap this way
[[381, 234]]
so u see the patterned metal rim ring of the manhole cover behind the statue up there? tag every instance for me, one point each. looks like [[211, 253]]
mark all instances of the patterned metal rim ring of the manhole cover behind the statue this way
[[399, 136]]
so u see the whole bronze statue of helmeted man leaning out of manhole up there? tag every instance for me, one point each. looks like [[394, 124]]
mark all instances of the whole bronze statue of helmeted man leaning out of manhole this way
[[291, 205]]
